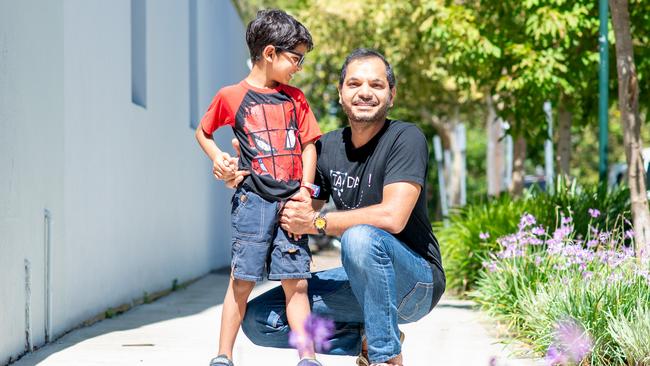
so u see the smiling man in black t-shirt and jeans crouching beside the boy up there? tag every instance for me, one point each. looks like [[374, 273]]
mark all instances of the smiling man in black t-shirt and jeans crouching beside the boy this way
[[375, 171]]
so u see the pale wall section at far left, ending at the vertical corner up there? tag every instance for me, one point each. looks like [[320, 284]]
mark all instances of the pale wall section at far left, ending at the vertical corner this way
[[31, 159]]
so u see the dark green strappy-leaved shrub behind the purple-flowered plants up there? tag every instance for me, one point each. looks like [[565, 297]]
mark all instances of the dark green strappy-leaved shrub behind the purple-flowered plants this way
[[463, 250]]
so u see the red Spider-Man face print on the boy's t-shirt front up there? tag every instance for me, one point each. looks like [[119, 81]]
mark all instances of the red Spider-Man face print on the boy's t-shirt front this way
[[271, 131]]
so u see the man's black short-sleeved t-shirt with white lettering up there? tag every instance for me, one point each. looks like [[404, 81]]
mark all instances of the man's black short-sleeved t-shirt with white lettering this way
[[355, 178]]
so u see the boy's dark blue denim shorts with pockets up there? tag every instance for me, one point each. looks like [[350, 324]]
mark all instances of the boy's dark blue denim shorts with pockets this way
[[260, 245]]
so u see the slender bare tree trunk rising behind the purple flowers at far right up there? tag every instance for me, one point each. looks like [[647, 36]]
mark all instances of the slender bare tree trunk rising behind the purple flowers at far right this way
[[628, 101]]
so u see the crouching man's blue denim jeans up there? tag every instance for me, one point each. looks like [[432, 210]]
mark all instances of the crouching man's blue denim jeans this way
[[382, 283]]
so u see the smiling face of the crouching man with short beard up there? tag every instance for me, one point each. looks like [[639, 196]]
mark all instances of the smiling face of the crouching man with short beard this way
[[365, 94]]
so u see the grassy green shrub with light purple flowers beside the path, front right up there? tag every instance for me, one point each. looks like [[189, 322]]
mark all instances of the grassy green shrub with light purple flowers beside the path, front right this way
[[538, 280]]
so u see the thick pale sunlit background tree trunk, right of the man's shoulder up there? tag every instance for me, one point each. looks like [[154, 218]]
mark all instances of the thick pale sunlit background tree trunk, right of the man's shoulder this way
[[495, 150]]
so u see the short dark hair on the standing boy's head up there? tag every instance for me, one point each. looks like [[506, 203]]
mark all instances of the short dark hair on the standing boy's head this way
[[277, 28]]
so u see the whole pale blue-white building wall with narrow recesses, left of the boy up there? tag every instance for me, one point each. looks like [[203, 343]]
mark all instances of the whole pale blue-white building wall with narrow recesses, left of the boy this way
[[104, 192]]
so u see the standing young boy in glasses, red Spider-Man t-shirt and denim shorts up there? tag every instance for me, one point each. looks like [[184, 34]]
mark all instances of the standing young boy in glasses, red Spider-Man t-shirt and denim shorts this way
[[276, 131]]
